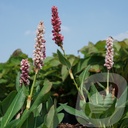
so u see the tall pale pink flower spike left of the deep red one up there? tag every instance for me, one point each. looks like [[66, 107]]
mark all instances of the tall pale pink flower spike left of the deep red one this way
[[39, 52]]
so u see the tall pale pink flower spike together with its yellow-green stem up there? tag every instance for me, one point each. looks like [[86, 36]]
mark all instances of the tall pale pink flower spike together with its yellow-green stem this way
[[38, 57]]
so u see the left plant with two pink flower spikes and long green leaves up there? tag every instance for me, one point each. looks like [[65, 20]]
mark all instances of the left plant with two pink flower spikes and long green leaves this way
[[31, 105]]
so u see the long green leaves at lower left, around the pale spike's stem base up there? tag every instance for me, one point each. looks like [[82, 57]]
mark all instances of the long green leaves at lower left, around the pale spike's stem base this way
[[43, 112]]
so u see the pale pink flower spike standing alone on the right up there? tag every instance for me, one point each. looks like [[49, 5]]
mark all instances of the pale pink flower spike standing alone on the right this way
[[109, 53]]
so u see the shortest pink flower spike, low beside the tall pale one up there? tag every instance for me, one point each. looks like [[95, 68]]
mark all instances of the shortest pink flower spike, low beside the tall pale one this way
[[24, 77]]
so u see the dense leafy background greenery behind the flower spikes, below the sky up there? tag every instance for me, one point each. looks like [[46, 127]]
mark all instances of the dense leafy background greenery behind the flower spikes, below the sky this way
[[63, 89]]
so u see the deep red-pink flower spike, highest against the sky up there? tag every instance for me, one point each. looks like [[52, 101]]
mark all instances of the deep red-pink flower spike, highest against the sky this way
[[57, 37]]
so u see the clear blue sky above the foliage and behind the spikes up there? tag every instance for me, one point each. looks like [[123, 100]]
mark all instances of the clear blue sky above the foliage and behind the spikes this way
[[82, 21]]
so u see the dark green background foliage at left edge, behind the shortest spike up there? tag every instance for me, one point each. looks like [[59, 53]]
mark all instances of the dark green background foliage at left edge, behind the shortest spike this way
[[8, 72]]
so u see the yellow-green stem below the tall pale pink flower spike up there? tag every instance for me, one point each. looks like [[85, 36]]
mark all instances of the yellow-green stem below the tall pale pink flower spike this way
[[31, 91]]
